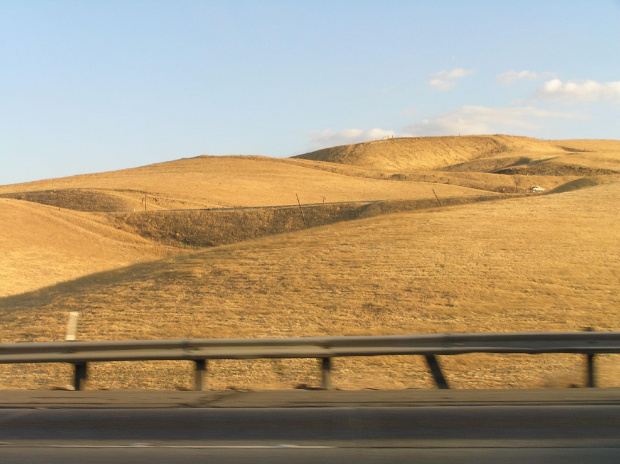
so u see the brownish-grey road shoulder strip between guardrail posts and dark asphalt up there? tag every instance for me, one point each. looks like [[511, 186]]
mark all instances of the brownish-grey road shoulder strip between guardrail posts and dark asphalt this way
[[302, 398]]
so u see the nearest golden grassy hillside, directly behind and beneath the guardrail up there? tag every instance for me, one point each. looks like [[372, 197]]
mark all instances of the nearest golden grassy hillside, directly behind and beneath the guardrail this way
[[526, 264]]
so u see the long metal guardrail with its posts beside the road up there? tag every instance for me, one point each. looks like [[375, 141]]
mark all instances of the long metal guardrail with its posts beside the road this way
[[324, 348]]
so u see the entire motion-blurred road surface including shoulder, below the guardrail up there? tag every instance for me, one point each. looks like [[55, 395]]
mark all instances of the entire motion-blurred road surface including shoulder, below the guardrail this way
[[563, 426]]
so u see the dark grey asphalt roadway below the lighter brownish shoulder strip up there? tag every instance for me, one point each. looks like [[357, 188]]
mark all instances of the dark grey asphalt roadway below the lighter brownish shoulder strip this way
[[549, 433]]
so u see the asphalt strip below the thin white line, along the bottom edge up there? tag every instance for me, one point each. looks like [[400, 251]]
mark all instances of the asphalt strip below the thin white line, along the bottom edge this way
[[307, 455]]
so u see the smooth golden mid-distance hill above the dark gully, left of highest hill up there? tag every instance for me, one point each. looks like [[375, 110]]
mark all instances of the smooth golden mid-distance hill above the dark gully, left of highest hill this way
[[236, 181]]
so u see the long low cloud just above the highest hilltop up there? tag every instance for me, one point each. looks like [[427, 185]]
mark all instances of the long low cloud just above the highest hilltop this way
[[471, 120]]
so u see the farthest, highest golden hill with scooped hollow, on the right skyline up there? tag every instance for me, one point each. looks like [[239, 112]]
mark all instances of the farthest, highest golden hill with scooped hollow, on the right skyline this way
[[489, 153]]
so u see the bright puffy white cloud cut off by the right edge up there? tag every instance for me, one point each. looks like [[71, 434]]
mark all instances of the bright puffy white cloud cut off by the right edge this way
[[588, 90]]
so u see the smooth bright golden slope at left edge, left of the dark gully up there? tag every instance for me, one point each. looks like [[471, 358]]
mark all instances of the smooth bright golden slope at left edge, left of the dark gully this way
[[41, 246]]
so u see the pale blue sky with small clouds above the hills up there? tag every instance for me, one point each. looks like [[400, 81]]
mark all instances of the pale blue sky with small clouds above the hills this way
[[98, 85]]
